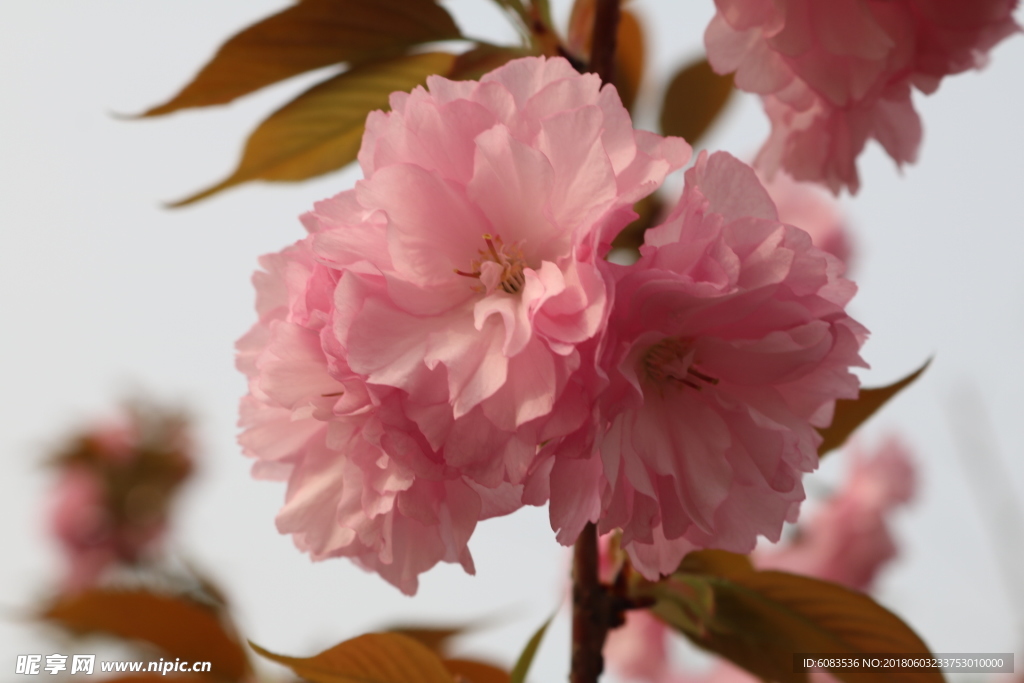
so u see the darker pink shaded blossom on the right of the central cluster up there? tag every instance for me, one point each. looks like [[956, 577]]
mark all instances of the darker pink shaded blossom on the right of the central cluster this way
[[728, 346]]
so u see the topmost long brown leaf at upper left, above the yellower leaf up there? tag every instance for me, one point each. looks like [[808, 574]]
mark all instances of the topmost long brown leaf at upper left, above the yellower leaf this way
[[310, 35]]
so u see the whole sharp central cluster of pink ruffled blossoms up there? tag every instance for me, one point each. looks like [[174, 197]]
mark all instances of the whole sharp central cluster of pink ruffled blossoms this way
[[449, 344]]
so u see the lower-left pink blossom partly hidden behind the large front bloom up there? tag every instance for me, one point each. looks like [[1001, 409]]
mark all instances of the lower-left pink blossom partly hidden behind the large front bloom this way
[[351, 457]]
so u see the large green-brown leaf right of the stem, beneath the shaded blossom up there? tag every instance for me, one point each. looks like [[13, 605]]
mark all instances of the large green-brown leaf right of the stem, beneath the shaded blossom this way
[[758, 620]]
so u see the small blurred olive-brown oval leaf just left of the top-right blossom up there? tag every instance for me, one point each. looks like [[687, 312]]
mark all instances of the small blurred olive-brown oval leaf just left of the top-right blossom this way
[[697, 96]]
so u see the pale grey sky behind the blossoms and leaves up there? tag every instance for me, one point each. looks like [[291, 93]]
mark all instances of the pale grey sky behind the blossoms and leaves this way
[[105, 293]]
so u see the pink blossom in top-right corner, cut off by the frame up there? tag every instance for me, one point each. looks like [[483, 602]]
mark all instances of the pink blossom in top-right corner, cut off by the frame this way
[[834, 74]]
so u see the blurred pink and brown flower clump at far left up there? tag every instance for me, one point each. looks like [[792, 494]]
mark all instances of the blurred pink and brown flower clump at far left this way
[[114, 492]]
